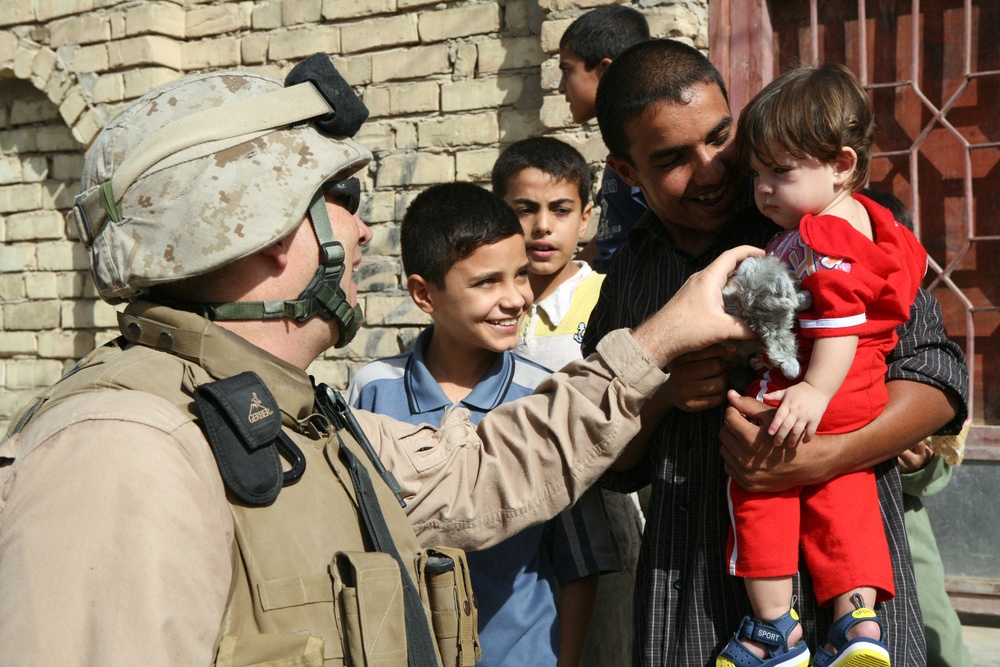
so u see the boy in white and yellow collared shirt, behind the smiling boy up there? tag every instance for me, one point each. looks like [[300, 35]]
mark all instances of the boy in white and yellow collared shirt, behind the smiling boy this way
[[547, 183]]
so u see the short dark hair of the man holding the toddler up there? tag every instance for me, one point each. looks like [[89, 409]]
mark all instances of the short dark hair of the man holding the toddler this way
[[660, 70]]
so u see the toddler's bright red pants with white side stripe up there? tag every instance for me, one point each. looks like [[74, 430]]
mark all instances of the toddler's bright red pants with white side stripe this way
[[838, 524]]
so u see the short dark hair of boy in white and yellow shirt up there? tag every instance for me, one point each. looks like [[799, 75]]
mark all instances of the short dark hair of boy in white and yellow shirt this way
[[548, 155]]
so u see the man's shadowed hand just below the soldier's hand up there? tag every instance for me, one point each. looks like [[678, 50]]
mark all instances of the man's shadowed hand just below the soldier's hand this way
[[698, 380]]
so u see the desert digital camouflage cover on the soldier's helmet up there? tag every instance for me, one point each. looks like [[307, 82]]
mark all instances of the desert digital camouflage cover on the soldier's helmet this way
[[210, 204]]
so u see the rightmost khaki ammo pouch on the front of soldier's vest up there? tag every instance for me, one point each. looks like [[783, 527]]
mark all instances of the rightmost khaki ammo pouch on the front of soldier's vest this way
[[445, 583]]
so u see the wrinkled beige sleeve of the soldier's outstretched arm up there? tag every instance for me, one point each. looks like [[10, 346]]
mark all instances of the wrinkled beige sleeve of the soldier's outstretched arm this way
[[529, 459]]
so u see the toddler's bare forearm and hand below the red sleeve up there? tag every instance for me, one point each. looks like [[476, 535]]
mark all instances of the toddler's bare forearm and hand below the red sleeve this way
[[803, 405]]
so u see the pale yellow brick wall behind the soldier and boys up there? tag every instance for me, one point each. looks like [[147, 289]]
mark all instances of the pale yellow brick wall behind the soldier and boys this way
[[447, 83]]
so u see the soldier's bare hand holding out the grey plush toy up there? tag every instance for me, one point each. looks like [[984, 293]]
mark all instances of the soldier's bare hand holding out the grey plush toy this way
[[694, 318]]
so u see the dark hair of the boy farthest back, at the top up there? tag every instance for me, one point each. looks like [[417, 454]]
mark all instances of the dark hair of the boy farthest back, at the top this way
[[604, 33]]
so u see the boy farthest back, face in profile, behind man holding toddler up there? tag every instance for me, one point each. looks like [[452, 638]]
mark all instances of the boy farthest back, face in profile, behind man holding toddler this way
[[586, 49]]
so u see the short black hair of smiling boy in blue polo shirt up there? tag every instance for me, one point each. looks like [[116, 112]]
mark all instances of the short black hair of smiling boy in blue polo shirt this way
[[445, 223]]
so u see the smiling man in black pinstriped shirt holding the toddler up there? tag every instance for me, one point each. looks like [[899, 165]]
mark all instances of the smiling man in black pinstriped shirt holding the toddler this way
[[664, 116]]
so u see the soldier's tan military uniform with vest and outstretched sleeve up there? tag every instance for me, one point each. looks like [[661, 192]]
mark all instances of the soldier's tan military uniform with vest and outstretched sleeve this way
[[112, 487]]
